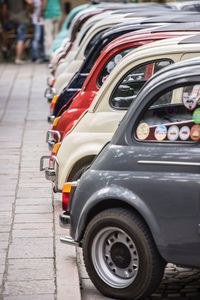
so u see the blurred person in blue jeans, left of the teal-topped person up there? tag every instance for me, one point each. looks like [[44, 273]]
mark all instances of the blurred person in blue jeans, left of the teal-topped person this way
[[38, 54]]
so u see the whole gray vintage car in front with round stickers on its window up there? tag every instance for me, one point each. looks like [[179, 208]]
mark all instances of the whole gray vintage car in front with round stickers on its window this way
[[138, 206]]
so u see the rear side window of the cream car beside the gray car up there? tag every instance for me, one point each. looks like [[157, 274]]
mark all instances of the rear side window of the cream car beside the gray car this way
[[128, 88]]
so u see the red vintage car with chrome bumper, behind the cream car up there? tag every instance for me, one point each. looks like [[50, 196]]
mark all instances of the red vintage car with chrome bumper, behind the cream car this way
[[103, 66]]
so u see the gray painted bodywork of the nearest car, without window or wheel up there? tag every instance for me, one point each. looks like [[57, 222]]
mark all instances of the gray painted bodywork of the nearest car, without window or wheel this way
[[166, 196]]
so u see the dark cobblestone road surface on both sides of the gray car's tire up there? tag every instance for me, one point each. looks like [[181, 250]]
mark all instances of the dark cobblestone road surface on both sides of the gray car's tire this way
[[177, 284]]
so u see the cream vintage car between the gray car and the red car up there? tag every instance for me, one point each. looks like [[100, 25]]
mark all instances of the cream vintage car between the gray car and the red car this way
[[96, 126]]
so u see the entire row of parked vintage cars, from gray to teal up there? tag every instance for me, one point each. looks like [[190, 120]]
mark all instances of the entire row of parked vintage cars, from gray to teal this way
[[124, 93]]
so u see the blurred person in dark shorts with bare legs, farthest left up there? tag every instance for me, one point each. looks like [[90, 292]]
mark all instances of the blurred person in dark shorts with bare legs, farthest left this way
[[16, 17]]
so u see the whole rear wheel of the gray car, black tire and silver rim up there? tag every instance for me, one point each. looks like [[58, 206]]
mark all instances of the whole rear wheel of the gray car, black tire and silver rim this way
[[117, 243]]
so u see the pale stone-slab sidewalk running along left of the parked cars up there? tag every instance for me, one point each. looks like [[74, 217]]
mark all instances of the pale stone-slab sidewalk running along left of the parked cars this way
[[33, 263]]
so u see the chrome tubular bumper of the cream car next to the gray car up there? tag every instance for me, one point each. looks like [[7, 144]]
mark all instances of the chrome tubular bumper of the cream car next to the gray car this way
[[51, 172]]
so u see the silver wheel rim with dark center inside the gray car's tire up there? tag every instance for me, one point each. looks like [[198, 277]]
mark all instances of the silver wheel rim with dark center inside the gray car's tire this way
[[115, 257]]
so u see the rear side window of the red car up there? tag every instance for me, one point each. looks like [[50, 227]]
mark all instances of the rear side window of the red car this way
[[110, 65]]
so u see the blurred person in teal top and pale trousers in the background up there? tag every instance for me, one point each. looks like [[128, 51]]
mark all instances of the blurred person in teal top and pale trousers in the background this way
[[52, 18]]
